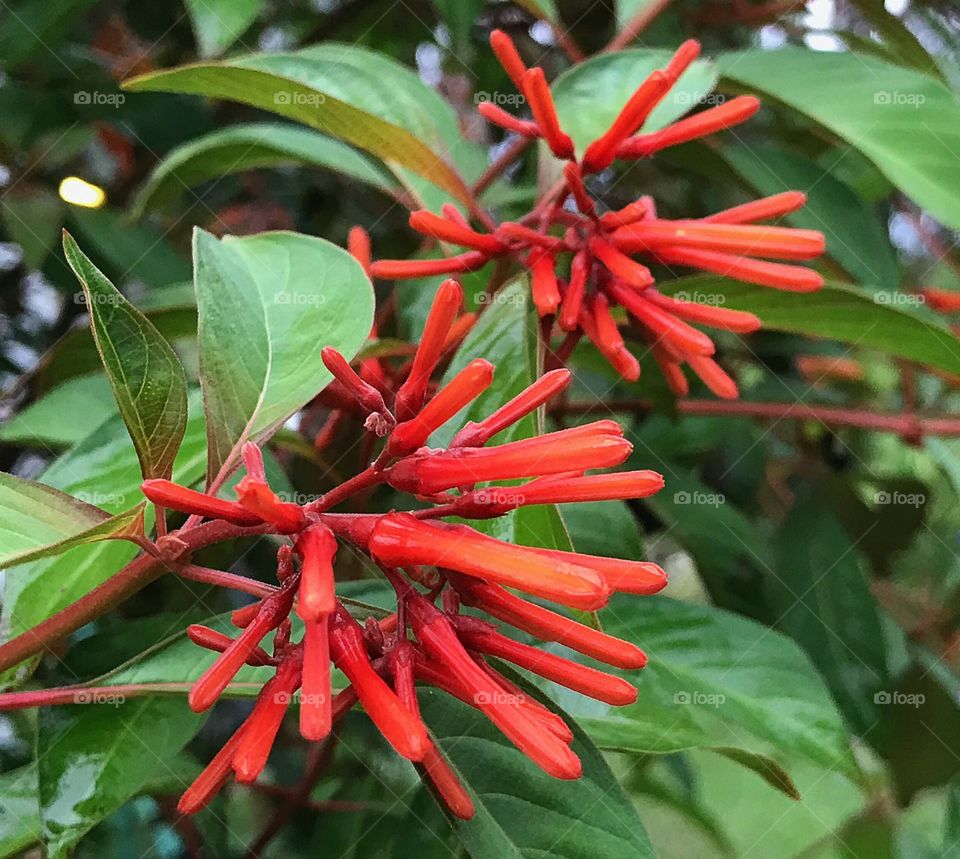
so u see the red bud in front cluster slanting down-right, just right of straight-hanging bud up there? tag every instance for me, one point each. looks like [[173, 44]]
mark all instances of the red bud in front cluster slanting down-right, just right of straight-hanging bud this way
[[403, 730]]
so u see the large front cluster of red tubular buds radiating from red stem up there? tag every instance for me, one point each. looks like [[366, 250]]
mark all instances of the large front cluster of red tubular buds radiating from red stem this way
[[424, 642]]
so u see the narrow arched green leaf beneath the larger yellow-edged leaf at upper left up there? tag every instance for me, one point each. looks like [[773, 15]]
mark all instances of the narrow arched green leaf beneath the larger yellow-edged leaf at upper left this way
[[246, 147]]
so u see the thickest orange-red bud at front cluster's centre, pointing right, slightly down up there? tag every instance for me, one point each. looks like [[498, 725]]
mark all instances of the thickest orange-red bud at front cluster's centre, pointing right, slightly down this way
[[400, 540]]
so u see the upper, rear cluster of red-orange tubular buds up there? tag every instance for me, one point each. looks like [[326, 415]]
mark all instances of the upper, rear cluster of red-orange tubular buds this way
[[582, 261]]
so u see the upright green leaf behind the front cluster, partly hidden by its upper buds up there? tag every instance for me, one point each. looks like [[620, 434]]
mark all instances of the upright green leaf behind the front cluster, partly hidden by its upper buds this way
[[506, 336]]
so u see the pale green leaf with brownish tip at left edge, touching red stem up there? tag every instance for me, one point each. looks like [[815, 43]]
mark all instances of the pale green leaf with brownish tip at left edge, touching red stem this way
[[37, 521]]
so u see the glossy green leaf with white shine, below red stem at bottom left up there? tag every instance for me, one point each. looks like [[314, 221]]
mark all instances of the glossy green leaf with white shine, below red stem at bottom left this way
[[94, 756]]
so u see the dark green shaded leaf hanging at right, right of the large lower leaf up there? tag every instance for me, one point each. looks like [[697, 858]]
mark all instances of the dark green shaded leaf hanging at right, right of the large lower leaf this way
[[822, 600]]
